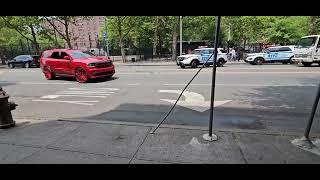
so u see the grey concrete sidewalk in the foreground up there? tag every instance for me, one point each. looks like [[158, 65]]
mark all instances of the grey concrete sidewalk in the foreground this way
[[64, 141]]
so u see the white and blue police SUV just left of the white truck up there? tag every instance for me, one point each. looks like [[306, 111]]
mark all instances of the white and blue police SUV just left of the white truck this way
[[282, 54]]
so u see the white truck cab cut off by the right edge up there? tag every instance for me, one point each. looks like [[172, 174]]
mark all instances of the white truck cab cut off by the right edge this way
[[307, 50]]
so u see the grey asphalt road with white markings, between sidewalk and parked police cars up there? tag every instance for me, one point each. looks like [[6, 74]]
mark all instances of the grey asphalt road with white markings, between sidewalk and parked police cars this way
[[271, 97]]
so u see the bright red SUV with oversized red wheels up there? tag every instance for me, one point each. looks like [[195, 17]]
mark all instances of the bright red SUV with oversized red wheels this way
[[75, 63]]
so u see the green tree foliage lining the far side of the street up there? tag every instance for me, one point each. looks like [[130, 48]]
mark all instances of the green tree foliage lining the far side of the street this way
[[162, 32]]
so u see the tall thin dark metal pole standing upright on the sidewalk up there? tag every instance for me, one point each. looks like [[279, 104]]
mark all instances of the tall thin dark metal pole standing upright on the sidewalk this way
[[214, 73]]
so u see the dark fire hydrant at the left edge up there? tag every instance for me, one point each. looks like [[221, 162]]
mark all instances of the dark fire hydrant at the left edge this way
[[6, 107]]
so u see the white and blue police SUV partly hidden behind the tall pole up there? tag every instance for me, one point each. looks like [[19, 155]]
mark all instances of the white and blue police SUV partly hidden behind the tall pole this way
[[200, 56]]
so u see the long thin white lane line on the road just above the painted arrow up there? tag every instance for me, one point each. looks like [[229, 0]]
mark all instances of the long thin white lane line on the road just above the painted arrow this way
[[258, 85]]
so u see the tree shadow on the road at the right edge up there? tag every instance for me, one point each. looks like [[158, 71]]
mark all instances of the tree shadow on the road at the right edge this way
[[286, 107]]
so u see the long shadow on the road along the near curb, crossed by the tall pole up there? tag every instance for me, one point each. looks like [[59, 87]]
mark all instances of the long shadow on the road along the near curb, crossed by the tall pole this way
[[153, 114]]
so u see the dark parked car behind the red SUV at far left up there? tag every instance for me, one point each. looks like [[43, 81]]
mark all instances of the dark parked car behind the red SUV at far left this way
[[25, 61]]
